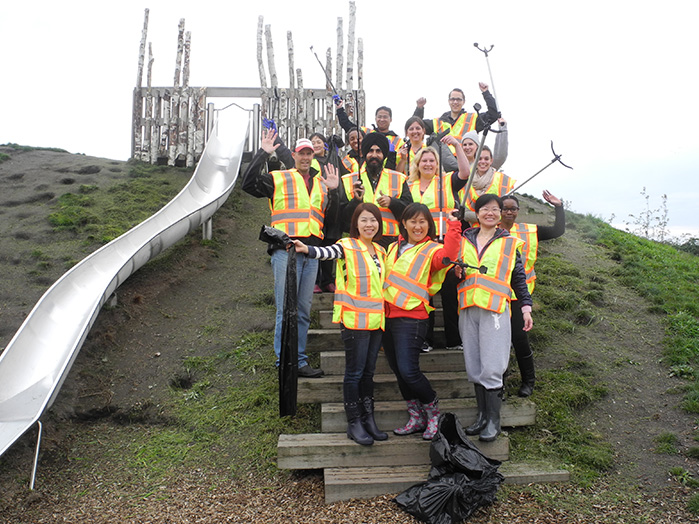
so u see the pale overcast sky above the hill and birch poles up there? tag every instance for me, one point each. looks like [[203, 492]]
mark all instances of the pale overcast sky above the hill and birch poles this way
[[613, 83]]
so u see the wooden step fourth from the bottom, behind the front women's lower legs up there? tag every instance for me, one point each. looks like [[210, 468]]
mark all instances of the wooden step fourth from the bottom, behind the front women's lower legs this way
[[453, 384]]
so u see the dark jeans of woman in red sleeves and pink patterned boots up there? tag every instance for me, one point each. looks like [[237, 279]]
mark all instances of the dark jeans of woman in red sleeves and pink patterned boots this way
[[402, 344]]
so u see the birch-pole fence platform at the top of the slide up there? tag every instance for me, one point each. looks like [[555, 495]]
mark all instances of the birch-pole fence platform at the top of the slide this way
[[171, 124]]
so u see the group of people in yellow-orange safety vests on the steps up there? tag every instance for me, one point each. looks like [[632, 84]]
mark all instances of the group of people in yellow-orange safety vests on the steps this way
[[387, 215]]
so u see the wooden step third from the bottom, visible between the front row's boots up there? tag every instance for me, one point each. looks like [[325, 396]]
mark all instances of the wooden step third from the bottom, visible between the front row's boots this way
[[392, 414]]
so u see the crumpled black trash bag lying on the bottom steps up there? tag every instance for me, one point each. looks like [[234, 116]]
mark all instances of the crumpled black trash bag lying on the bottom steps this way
[[461, 480]]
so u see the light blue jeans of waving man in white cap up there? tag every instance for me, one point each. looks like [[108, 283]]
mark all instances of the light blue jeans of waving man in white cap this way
[[306, 272]]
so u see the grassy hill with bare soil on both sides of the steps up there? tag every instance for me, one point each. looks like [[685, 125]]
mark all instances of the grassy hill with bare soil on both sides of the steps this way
[[172, 402]]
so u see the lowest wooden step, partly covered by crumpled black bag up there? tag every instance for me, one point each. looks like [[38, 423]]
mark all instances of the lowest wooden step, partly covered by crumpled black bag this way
[[362, 483]]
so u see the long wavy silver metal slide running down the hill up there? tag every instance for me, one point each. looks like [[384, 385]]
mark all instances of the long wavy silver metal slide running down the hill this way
[[37, 360]]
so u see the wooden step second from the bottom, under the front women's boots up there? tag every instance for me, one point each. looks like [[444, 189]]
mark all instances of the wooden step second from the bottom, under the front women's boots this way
[[335, 450]]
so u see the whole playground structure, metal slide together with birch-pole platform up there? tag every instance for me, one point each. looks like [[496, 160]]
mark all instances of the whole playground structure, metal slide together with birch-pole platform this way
[[169, 126]]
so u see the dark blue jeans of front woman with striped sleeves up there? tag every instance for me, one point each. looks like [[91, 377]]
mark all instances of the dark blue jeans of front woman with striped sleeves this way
[[361, 350]]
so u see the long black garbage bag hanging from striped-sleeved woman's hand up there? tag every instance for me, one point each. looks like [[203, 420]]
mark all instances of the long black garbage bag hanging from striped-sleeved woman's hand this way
[[289, 354]]
